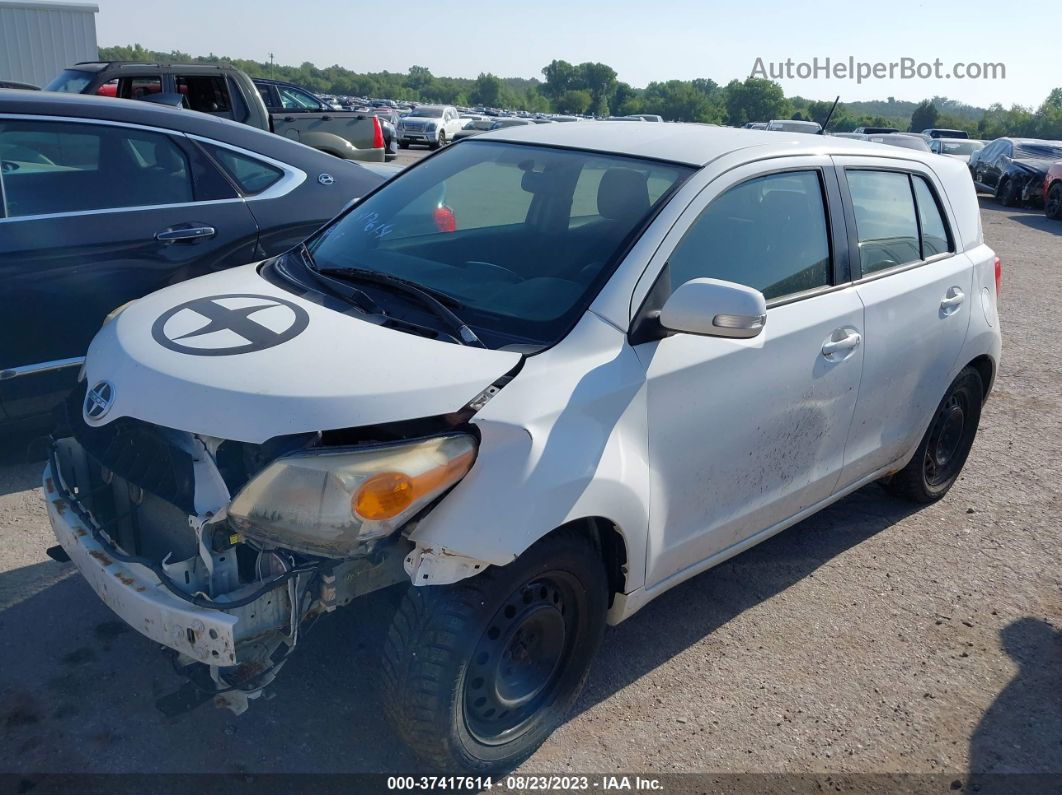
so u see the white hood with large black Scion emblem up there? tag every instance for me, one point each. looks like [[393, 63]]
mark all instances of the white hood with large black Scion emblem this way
[[233, 356]]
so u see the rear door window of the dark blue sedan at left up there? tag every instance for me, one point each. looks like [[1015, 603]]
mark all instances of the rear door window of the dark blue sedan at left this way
[[65, 167]]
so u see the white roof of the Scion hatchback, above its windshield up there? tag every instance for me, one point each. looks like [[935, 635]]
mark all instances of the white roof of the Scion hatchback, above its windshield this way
[[694, 145]]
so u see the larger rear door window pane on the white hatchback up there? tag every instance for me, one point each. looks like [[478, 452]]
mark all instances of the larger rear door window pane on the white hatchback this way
[[885, 219]]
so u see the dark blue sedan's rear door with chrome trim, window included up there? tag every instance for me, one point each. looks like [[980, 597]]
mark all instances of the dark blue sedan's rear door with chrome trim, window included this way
[[95, 215]]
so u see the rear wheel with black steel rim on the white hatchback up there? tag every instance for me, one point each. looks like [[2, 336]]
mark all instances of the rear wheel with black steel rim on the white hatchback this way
[[943, 454]]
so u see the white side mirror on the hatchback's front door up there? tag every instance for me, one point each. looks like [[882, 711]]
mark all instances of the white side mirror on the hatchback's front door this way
[[715, 308]]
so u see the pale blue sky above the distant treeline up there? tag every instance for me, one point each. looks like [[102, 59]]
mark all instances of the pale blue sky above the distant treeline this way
[[643, 41]]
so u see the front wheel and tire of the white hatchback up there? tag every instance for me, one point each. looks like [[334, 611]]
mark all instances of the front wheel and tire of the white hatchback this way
[[479, 673]]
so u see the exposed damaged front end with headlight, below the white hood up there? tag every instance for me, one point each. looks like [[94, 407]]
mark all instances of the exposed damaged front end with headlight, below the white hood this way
[[224, 551]]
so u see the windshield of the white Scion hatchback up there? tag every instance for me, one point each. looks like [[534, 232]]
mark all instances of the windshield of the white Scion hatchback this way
[[520, 237]]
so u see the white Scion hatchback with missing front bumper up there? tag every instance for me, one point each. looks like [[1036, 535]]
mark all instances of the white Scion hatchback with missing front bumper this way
[[543, 376]]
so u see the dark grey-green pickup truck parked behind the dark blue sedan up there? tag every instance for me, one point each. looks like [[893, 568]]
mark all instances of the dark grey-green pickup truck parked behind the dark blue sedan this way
[[228, 93]]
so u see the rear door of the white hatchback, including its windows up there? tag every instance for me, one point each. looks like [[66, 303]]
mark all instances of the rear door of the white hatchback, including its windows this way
[[918, 296]]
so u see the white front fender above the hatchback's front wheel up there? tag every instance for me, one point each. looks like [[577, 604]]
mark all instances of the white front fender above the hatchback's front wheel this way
[[564, 441]]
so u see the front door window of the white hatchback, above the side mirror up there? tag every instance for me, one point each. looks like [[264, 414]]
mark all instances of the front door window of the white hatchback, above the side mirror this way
[[768, 234]]
